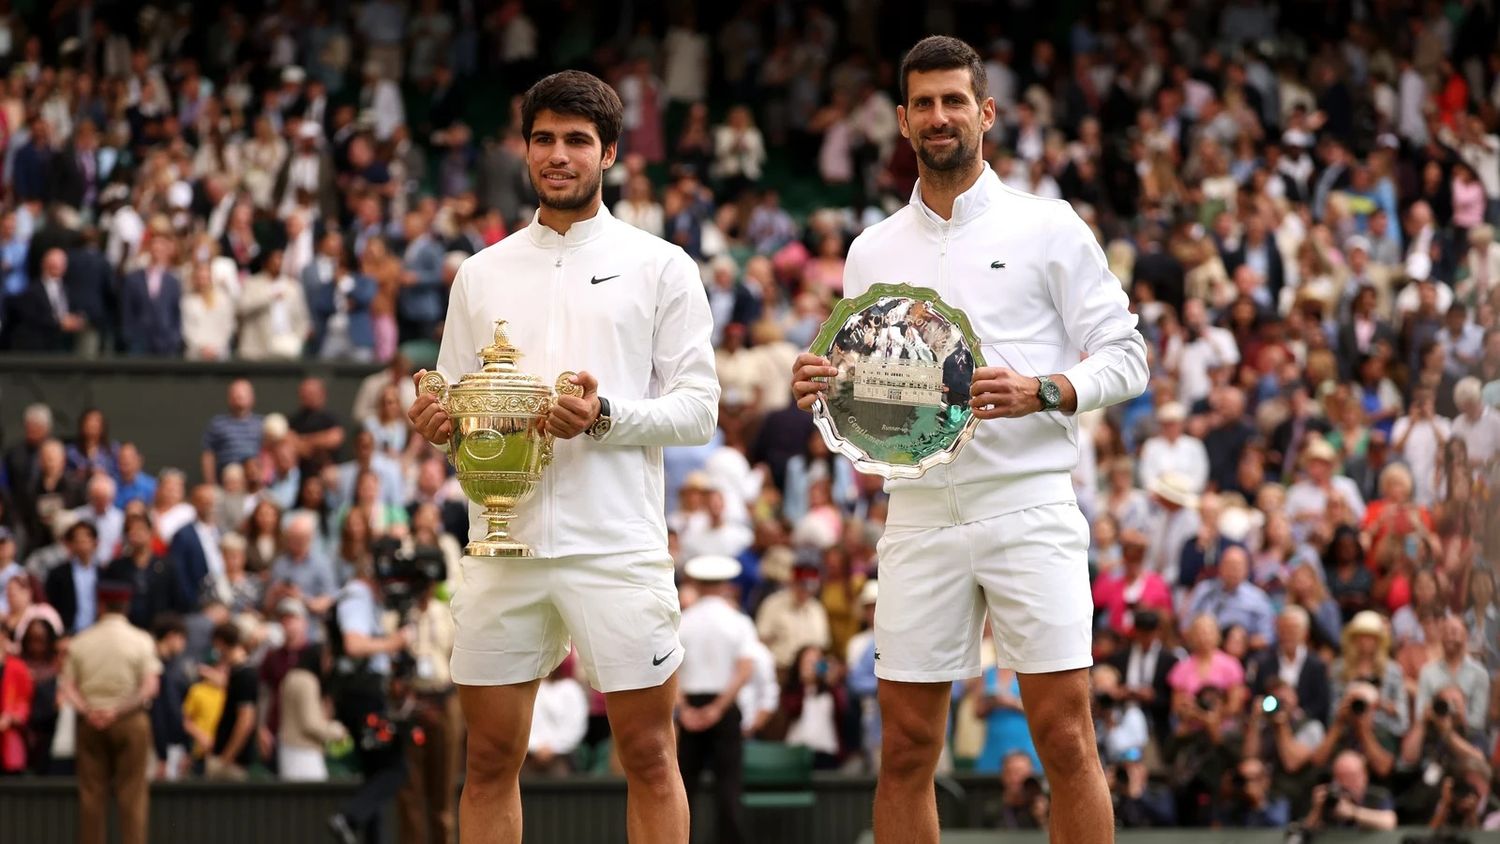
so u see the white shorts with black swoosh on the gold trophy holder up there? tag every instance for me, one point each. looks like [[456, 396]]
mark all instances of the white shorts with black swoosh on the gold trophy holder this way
[[517, 620]]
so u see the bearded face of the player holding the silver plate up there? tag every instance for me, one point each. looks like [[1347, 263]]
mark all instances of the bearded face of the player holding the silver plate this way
[[944, 121]]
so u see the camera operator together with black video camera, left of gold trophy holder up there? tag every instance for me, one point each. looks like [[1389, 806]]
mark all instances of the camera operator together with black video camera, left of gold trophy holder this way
[[374, 674]]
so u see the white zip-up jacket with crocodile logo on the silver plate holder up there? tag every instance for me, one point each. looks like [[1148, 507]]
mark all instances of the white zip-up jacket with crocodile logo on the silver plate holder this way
[[1040, 298]]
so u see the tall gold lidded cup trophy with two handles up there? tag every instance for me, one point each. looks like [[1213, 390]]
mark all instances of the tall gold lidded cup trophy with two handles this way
[[500, 443]]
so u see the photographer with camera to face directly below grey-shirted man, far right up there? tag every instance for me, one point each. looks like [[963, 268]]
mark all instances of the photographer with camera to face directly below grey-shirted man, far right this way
[[1436, 749]]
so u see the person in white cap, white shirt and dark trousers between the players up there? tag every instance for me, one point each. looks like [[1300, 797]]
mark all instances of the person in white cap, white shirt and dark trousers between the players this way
[[718, 659]]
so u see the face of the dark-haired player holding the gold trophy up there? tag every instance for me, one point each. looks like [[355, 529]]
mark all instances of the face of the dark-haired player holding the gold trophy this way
[[568, 161]]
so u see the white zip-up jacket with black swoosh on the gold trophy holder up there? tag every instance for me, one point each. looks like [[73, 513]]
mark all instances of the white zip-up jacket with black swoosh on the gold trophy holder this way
[[628, 308]]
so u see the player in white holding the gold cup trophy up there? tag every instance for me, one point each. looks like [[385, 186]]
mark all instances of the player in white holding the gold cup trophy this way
[[589, 293]]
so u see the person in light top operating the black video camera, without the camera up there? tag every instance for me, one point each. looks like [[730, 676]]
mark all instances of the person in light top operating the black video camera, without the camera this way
[[362, 678]]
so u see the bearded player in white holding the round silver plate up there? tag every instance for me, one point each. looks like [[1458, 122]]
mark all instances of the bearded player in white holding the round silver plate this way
[[998, 531]]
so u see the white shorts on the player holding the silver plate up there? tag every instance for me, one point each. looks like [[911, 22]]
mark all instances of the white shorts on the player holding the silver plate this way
[[1028, 569]]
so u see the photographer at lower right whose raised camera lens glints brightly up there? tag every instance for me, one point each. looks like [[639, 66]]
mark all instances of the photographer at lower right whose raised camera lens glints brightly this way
[[1283, 737]]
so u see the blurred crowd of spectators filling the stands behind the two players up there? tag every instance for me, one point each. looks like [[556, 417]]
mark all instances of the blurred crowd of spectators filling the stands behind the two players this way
[[1295, 528]]
